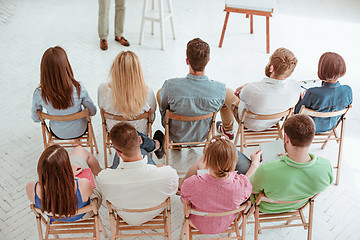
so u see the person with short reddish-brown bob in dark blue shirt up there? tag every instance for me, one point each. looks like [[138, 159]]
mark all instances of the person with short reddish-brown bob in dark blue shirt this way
[[331, 96]]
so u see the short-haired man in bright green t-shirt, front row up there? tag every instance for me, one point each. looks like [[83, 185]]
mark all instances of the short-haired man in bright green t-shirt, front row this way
[[294, 176]]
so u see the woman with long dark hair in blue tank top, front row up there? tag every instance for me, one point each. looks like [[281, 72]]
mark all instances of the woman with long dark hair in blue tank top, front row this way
[[58, 191]]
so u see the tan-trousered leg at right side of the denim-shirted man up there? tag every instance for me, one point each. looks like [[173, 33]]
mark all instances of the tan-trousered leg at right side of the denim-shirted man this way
[[229, 111]]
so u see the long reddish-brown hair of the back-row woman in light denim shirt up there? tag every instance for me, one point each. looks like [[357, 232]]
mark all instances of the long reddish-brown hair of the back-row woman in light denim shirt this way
[[57, 79]]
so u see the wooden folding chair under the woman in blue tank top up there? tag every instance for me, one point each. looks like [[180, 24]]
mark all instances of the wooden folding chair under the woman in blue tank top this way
[[81, 226]]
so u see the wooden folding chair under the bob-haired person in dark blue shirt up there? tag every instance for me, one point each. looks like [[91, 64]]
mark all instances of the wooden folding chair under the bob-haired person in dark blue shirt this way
[[332, 134]]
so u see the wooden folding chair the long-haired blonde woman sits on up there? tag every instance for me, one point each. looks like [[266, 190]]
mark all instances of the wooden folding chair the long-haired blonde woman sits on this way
[[106, 131]]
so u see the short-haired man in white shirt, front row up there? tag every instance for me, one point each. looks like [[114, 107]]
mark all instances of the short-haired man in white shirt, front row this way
[[135, 184]]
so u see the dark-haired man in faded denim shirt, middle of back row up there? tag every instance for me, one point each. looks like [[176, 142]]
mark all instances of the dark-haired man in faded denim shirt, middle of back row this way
[[194, 95]]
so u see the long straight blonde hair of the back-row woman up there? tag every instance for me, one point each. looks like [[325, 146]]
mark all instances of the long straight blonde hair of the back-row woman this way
[[129, 89]]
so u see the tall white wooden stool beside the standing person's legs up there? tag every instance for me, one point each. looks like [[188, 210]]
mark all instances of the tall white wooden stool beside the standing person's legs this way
[[159, 16]]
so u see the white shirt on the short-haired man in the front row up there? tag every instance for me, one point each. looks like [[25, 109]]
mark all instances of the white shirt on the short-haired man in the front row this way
[[137, 185]]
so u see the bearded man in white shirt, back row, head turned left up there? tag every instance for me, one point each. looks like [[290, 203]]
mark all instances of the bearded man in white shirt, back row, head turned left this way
[[274, 94]]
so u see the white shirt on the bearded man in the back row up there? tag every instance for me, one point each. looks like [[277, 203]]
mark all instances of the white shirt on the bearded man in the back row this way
[[268, 96]]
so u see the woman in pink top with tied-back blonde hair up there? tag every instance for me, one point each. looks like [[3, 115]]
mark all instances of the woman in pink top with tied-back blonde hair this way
[[220, 190]]
